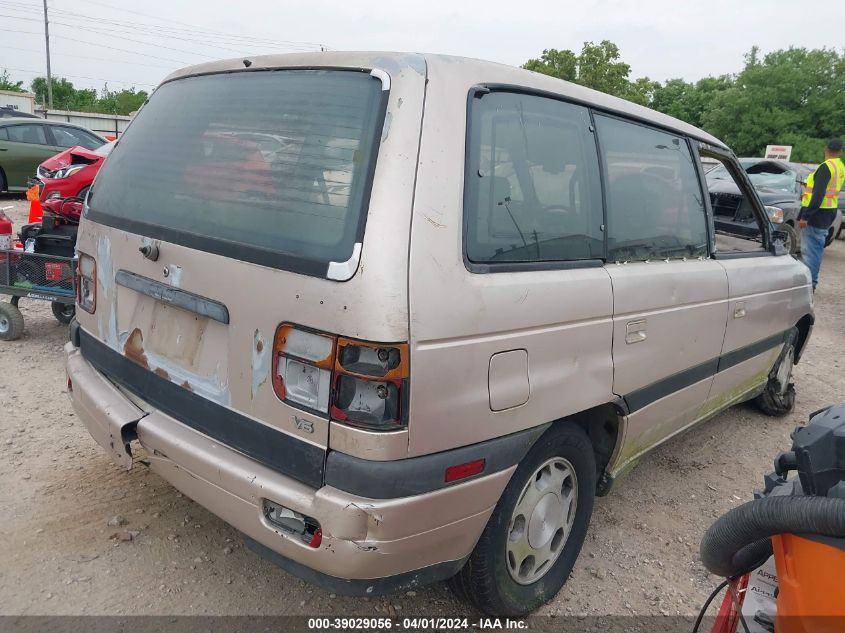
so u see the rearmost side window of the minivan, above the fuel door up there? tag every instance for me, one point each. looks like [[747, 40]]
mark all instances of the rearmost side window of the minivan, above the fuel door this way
[[532, 191]]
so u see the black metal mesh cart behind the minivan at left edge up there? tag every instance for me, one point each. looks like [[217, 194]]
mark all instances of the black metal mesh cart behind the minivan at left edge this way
[[35, 276]]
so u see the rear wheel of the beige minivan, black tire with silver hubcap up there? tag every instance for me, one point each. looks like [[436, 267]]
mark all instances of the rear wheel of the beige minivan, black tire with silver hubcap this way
[[562, 461]]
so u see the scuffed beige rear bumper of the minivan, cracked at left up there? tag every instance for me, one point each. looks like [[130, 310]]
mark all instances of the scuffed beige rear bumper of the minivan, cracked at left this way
[[369, 545]]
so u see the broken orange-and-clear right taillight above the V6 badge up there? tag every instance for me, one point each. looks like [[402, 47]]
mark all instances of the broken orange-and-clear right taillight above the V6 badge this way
[[357, 383]]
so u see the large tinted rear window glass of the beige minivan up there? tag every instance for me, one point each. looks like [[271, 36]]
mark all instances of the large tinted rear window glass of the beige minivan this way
[[270, 167]]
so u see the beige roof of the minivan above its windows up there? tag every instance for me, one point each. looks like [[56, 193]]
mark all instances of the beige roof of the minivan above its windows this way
[[473, 70]]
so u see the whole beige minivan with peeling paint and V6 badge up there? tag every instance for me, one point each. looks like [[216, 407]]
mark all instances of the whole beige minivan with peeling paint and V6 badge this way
[[398, 318]]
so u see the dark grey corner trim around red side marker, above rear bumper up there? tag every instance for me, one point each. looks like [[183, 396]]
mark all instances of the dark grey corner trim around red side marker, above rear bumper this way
[[417, 475]]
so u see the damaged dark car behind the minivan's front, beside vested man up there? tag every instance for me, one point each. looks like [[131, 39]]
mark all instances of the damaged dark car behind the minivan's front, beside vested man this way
[[778, 184]]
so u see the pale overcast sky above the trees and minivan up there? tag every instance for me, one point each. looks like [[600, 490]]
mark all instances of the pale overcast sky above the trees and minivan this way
[[138, 43]]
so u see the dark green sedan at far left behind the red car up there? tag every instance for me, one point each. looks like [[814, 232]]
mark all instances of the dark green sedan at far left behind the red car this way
[[26, 143]]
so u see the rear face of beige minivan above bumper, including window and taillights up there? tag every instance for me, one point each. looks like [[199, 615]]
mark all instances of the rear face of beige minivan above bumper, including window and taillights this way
[[211, 230]]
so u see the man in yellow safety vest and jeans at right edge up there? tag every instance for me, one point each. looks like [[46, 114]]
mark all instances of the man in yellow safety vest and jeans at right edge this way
[[819, 202]]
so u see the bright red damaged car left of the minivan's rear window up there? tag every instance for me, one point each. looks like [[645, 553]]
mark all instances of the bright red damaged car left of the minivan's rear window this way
[[70, 173]]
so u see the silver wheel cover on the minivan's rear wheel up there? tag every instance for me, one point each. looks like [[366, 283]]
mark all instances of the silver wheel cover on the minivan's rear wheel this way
[[541, 521]]
